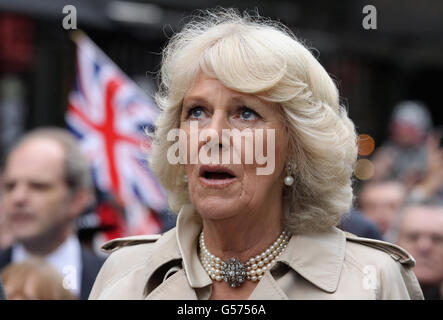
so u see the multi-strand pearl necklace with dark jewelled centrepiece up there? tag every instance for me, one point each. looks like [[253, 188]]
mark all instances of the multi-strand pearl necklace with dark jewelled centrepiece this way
[[233, 271]]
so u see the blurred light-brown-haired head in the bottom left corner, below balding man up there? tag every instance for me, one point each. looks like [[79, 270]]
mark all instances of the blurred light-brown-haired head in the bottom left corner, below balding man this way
[[34, 279]]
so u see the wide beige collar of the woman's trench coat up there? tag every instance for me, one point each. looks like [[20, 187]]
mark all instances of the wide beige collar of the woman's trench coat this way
[[317, 257]]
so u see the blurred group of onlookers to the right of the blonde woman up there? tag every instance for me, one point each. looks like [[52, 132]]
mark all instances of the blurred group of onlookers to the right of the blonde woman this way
[[403, 200]]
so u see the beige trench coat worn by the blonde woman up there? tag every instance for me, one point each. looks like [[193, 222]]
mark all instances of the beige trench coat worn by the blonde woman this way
[[329, 265]]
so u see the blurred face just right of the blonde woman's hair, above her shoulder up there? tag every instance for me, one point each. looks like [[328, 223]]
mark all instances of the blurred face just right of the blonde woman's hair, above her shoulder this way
[[380, 201]]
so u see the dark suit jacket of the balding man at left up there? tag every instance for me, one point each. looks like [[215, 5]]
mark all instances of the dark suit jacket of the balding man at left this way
[[91, 266]]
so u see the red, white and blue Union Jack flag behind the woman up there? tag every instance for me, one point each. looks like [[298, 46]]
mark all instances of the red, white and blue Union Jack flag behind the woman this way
[[109, 114]]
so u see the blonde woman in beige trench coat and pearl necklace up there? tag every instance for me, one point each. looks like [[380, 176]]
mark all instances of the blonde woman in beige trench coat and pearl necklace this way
[[252, 229]]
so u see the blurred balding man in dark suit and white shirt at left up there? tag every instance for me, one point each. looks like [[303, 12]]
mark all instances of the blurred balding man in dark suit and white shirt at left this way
[[46, 186]]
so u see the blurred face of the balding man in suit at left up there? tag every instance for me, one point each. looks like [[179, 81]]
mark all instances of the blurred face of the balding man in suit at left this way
[[36, 197]]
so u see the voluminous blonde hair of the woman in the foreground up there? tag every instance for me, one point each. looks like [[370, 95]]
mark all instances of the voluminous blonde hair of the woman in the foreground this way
[[257, 56]]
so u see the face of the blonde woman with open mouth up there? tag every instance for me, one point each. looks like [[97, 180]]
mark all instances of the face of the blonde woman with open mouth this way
[[230, 188]]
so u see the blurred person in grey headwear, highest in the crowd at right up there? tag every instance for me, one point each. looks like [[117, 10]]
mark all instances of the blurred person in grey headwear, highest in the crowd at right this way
[[404, 156]]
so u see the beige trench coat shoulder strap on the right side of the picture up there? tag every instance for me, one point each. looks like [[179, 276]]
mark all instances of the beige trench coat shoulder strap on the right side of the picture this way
[[395, 252]]
